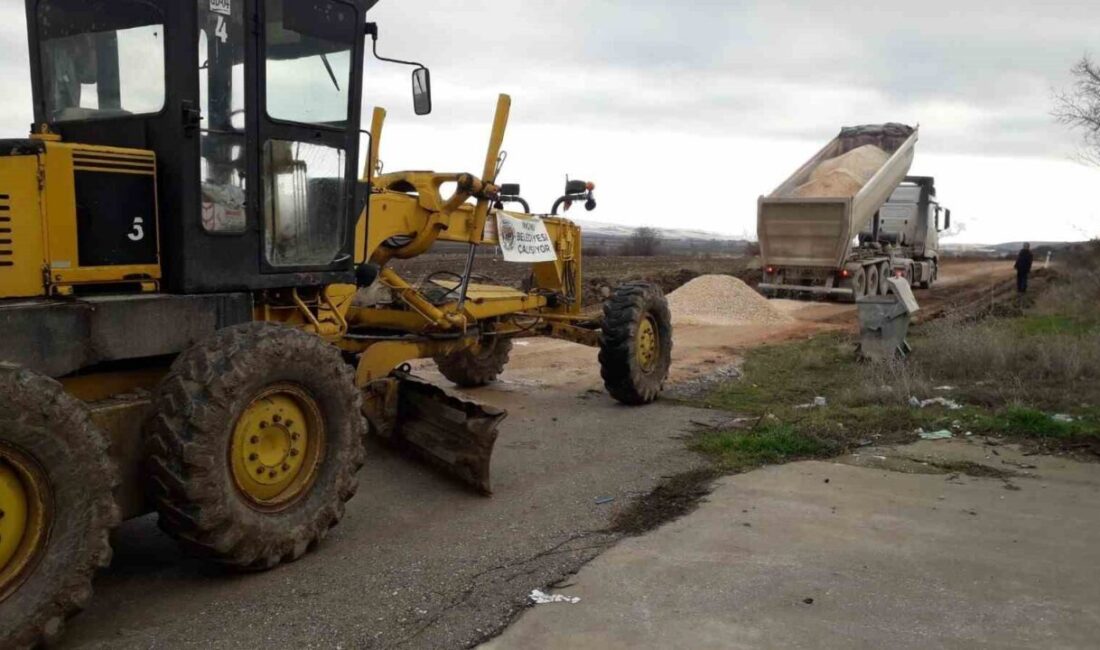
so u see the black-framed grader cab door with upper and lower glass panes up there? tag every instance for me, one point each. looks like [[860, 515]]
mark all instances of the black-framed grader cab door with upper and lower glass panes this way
[[310, 70]]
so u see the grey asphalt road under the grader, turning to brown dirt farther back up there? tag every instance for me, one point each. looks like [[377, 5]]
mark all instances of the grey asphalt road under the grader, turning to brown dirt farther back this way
[[419, 563]]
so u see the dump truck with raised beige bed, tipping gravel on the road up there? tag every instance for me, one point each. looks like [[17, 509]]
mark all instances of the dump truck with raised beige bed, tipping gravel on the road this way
[[850, 247]]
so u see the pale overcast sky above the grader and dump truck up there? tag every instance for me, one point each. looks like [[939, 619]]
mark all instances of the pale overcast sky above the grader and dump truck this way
[[685, 113]]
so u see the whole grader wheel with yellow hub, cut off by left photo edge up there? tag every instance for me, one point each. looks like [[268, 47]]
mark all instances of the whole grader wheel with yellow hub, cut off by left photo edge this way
[[57, 508]]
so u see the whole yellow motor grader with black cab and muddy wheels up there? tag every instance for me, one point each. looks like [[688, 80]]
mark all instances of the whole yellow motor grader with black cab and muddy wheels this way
[[200, 312]]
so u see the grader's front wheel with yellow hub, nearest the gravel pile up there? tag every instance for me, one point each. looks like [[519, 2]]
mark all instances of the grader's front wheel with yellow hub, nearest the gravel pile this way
[[636, 344]]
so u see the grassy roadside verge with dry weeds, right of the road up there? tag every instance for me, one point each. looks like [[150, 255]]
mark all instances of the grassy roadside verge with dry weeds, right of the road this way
[[1010, 370]]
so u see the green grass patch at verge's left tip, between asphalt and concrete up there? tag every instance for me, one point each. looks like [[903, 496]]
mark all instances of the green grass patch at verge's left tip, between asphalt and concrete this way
[[768, 445]]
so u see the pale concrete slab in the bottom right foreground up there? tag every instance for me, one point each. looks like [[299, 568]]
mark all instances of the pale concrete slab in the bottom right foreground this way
[[881, 550]]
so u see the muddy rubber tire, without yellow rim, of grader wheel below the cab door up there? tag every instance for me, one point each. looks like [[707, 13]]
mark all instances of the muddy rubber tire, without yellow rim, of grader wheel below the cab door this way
[[199, 405]]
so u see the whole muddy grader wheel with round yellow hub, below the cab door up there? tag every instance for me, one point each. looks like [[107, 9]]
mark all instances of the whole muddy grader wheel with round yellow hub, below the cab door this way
[[256, 446]]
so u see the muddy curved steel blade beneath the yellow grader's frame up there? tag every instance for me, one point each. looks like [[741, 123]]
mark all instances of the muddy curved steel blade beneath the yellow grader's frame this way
[[453, 434]]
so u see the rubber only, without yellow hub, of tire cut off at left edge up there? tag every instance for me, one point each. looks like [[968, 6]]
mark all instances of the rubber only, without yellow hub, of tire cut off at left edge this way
[[42, 422]]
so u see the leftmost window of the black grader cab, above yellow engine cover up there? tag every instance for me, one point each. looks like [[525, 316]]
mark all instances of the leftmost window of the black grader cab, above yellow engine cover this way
[[101, 59]]
